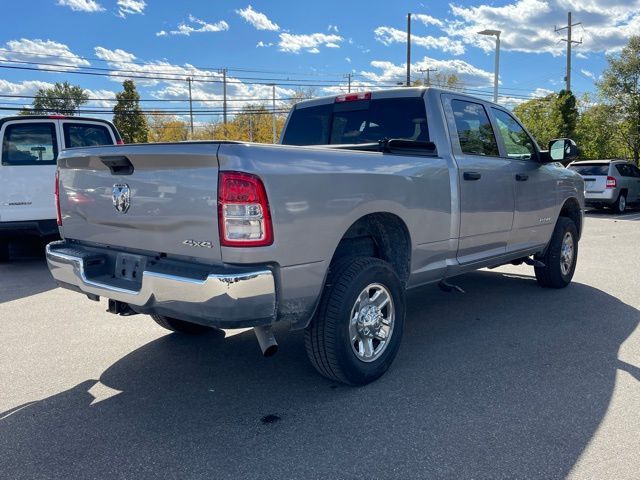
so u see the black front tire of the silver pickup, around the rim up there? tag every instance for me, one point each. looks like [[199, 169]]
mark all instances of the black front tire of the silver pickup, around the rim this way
[[552, 274]]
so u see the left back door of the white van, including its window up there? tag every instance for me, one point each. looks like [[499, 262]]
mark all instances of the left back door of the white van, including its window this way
[[27, 170]]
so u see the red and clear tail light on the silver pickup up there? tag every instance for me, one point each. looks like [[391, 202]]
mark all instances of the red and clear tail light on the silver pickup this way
[[243, 211]]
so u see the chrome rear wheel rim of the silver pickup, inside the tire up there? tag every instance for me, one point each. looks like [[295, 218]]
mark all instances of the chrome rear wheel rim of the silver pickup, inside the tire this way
[[371, 324]]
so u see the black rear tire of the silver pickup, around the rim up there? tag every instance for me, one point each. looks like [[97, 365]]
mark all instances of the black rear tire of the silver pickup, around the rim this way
[[327, 337]]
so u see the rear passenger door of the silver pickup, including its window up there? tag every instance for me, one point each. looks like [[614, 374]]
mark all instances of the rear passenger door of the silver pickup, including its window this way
[[485, 180]]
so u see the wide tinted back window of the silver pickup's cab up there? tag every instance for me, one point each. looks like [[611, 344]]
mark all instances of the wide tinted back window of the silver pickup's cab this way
[[362, 121]]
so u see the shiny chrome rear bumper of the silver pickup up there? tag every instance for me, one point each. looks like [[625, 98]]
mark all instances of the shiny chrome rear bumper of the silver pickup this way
[[228, 297]]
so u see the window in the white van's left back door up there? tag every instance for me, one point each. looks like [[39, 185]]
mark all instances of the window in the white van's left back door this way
[[29, 144]]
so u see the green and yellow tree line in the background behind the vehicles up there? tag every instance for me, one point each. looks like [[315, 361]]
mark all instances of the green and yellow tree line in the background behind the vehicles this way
[[604, 125]]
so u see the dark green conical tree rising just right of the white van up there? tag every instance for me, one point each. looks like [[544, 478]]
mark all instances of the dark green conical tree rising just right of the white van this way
[[127, 115]]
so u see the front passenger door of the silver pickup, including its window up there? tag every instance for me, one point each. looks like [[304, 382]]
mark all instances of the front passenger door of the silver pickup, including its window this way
[[535, 184]]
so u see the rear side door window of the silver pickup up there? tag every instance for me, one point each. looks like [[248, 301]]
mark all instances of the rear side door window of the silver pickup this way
[[474, 129]]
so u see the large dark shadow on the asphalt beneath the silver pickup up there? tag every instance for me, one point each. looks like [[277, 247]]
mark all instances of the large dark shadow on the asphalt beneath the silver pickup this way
[[508, 380]]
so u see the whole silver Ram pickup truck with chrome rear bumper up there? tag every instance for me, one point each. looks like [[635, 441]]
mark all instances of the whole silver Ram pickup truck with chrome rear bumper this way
[[369, 194]]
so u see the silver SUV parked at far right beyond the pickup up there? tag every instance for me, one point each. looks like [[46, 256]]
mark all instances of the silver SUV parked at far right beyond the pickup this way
[[609, 183]]
